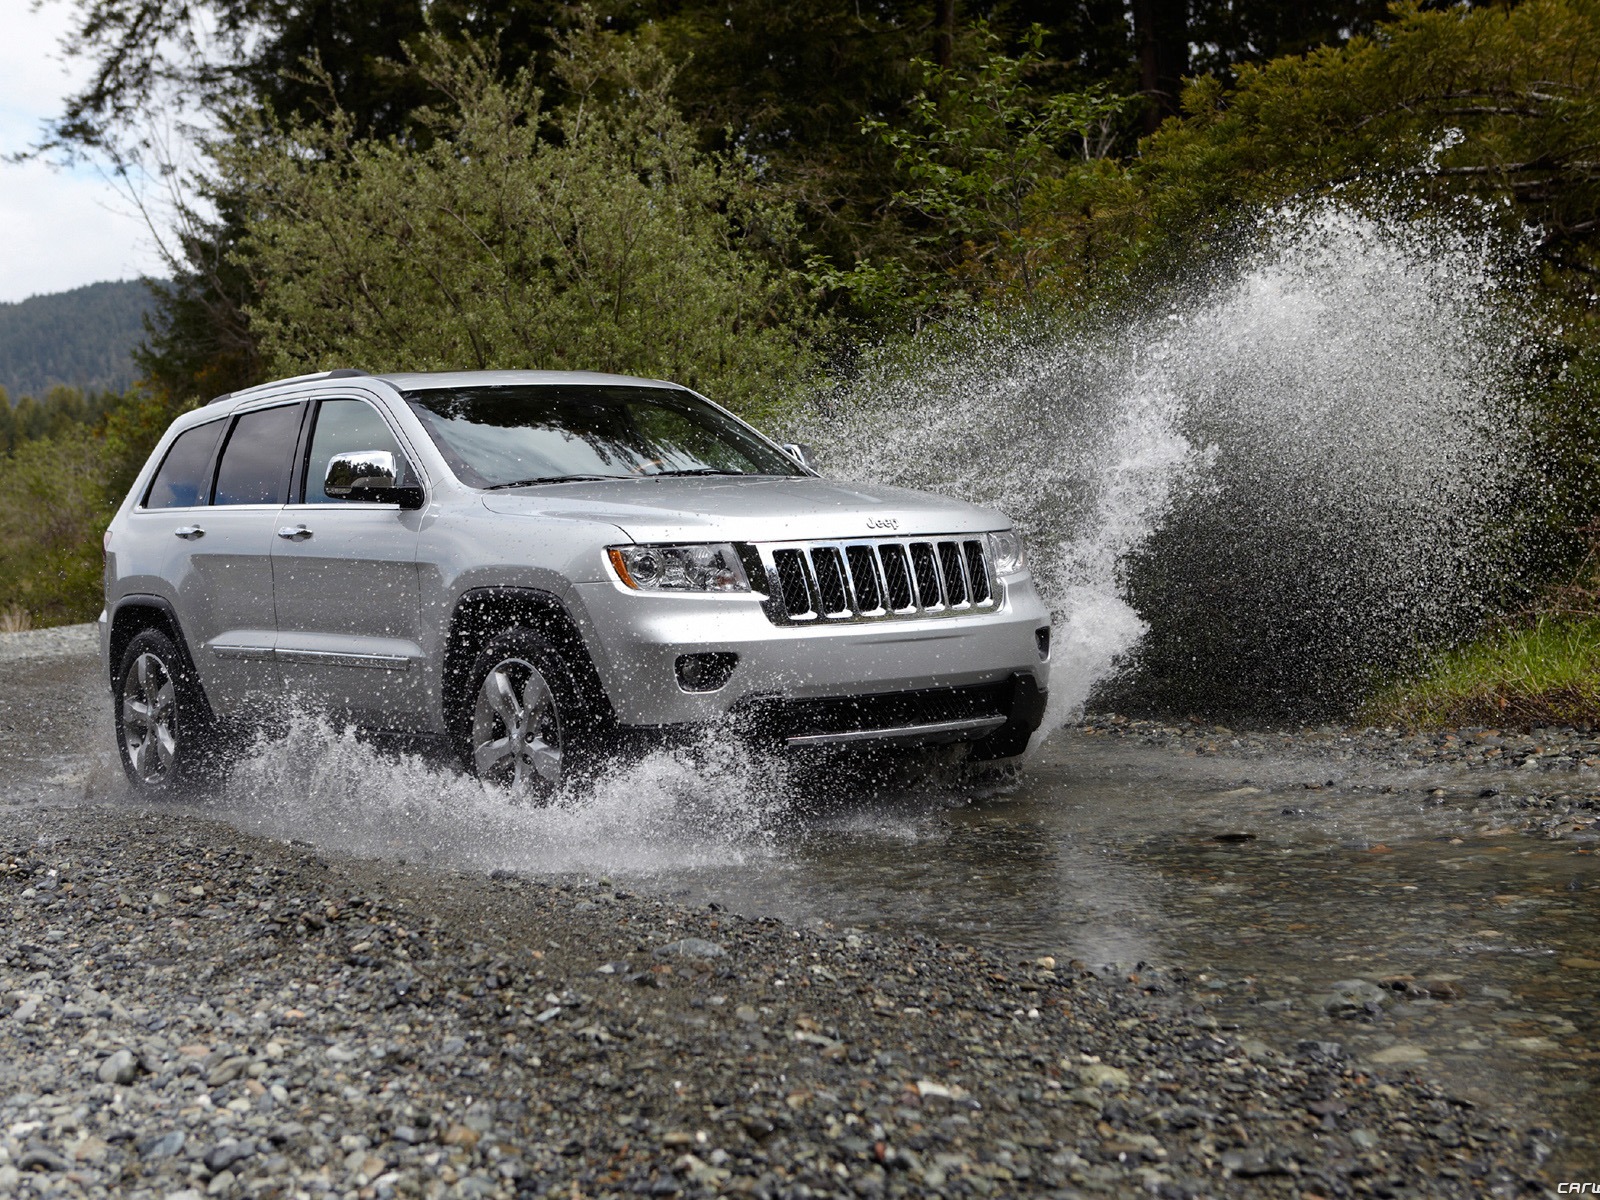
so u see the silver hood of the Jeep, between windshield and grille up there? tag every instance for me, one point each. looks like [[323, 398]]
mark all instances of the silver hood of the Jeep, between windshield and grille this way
[[657, 510]]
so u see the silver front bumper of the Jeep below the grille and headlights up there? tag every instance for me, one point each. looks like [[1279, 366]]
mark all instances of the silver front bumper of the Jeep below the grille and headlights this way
[[639, 638]]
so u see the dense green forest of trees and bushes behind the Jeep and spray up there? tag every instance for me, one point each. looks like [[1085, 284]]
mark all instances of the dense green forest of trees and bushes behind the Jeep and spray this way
[[762, 201]]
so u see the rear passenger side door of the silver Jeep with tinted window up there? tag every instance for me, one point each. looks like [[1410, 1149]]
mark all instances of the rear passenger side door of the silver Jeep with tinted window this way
[[226, 594]]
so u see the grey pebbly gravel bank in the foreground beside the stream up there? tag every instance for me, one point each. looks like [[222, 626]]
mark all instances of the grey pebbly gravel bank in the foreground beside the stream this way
[[188, 1010]]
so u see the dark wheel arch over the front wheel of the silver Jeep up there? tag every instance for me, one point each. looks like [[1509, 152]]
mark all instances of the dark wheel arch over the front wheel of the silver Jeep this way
[[484, 614]]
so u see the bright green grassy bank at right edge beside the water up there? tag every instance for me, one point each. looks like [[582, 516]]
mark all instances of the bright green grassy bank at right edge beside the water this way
[[1540, 674]]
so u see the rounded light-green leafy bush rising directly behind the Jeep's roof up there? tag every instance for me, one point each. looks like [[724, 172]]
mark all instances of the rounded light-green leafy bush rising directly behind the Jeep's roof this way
[[598, 236]]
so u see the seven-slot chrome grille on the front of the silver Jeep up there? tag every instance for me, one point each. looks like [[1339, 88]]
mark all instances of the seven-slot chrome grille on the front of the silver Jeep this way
[[878, 580]]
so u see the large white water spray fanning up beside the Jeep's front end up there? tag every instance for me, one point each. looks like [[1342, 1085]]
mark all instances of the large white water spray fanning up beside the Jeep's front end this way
[[1257, 502]]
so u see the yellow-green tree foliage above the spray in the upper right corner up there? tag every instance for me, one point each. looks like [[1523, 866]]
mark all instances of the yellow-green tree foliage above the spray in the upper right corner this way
[[1498, 103]]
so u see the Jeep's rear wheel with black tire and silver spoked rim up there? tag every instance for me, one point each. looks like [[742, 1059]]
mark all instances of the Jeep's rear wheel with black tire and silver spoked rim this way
[[162, 721]]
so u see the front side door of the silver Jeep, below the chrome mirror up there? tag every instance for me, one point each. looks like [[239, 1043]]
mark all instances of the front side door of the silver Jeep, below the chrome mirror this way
[[346, 585]]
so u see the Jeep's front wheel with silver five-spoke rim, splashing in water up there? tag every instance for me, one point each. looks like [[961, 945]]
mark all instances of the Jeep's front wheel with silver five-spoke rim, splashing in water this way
[[529, 724]]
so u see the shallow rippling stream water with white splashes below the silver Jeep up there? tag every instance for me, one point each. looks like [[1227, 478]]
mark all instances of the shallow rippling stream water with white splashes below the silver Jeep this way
[[1102, 850]]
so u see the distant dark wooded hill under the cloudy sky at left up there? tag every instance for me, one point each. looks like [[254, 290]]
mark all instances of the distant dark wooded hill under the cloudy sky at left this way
[[82, 338]]
